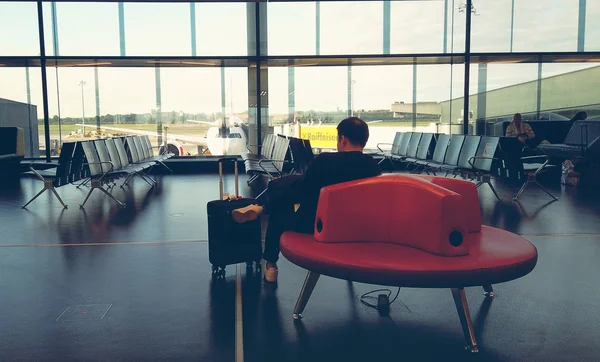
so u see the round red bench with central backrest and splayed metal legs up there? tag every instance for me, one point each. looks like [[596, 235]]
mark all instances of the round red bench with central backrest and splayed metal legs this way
[[408, 231]]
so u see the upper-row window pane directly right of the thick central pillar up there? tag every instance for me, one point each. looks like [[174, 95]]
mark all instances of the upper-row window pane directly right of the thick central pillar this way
[[292, 28]]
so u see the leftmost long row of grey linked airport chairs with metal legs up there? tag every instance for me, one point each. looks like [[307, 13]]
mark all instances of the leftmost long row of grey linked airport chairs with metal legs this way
[[99, 163]]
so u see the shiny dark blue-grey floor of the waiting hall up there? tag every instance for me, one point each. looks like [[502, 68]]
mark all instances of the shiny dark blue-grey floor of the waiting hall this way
[[134, 283]]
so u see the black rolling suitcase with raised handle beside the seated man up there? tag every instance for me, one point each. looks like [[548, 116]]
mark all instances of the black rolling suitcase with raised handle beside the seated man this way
[[230, 242]]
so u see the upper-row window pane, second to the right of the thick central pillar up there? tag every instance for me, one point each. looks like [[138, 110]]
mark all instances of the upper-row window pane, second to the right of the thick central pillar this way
[[352, 27]]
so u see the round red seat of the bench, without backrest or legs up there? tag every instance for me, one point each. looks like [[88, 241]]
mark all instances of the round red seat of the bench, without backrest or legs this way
[[495, 256]]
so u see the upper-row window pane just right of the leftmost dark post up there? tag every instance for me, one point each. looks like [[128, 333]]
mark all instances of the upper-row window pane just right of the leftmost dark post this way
[[84, 29]]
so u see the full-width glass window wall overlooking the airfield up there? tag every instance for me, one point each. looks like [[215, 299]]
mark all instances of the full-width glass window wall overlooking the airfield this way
[[144, 98]]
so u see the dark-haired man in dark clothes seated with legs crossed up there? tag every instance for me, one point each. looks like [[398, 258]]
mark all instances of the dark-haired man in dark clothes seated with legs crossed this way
[[349, 163]]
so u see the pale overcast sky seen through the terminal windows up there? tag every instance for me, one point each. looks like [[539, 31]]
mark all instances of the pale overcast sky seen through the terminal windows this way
[[221, 29]]
